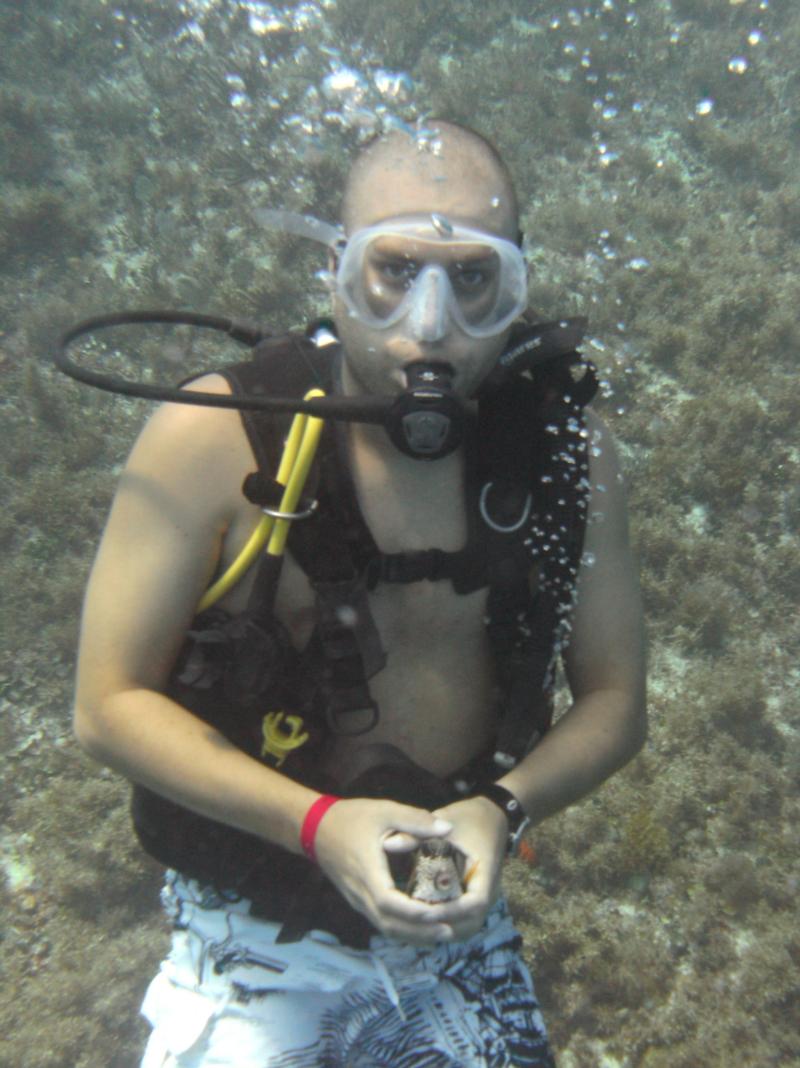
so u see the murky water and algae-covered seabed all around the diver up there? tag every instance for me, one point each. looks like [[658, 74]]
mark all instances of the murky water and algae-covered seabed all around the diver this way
[[654, 146]]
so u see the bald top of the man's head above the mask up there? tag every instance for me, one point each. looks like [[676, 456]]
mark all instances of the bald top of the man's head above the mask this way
[[464, 179]]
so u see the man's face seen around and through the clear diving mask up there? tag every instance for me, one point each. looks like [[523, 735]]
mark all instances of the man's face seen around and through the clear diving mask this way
[[402, 184]]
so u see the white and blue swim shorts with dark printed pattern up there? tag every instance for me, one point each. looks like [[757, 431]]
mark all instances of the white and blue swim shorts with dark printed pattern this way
[[228, 995]]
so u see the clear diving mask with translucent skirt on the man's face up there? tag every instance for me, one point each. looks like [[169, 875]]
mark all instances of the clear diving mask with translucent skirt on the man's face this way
[[427, 273]]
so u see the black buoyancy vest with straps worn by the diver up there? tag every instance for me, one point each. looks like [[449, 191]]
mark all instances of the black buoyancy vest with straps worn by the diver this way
[[527, 489]]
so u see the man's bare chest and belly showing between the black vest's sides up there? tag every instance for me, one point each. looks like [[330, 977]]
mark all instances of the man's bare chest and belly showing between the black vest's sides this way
[[435, 692]]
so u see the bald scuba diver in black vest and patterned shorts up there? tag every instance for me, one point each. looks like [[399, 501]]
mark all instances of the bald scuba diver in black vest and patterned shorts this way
[[302, 728]]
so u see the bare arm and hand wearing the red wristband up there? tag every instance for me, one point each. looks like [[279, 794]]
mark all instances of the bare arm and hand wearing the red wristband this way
[[180, 493]]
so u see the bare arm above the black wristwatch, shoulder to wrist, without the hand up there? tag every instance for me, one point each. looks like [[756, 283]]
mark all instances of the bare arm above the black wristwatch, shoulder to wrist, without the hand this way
[[606, 726]]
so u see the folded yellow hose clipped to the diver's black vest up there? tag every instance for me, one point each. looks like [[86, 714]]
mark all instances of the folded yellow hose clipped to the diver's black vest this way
[[299, 456]]
